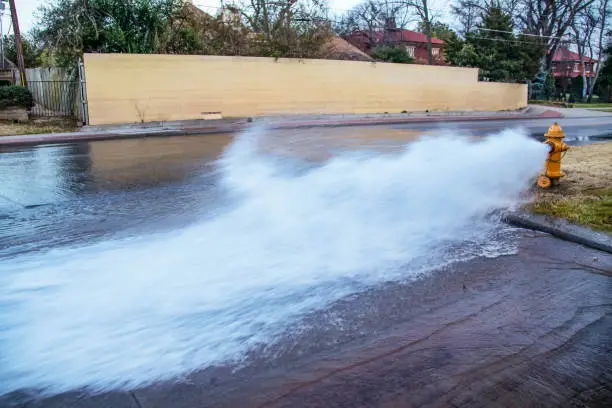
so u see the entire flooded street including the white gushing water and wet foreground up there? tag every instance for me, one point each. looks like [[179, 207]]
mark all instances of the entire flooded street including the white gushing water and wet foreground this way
[[371, 290]]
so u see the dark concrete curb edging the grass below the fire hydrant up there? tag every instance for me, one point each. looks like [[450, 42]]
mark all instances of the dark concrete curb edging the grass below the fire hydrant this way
[[562, 229]]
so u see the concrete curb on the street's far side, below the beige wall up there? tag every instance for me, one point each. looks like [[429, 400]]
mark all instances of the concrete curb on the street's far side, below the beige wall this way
[[235, 125]]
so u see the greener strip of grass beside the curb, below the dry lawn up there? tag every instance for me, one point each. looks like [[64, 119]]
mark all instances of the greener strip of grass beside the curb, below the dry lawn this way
[[594, 210]]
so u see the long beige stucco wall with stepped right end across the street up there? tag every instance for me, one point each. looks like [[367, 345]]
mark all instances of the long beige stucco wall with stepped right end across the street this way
[[125, 88]]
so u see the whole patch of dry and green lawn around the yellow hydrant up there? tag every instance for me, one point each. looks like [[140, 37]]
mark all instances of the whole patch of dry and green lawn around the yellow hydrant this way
[[585, 194]]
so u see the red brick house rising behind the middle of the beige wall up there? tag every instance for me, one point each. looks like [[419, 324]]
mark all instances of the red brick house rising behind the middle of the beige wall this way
[[414, 42]]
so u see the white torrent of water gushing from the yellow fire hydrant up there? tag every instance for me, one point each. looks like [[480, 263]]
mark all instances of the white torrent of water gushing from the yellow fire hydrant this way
[[126, 313]]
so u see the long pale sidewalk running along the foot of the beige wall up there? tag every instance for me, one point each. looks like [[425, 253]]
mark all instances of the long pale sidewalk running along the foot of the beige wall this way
[[232, 125]]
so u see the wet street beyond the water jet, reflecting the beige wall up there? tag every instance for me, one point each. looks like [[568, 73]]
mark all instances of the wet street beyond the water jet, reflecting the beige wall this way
[[58, 194]]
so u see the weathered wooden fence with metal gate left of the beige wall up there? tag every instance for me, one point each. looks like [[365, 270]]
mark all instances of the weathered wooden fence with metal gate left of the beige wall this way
[[55, 98]]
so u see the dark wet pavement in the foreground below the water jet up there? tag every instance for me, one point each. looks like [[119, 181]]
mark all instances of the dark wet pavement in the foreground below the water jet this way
[[528, 330]]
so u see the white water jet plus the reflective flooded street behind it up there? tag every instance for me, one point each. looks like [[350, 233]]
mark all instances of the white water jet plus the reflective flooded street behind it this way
[[125, 263]]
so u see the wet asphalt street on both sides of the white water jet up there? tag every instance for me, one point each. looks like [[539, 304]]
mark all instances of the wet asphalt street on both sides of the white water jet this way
[[532, 329]]
